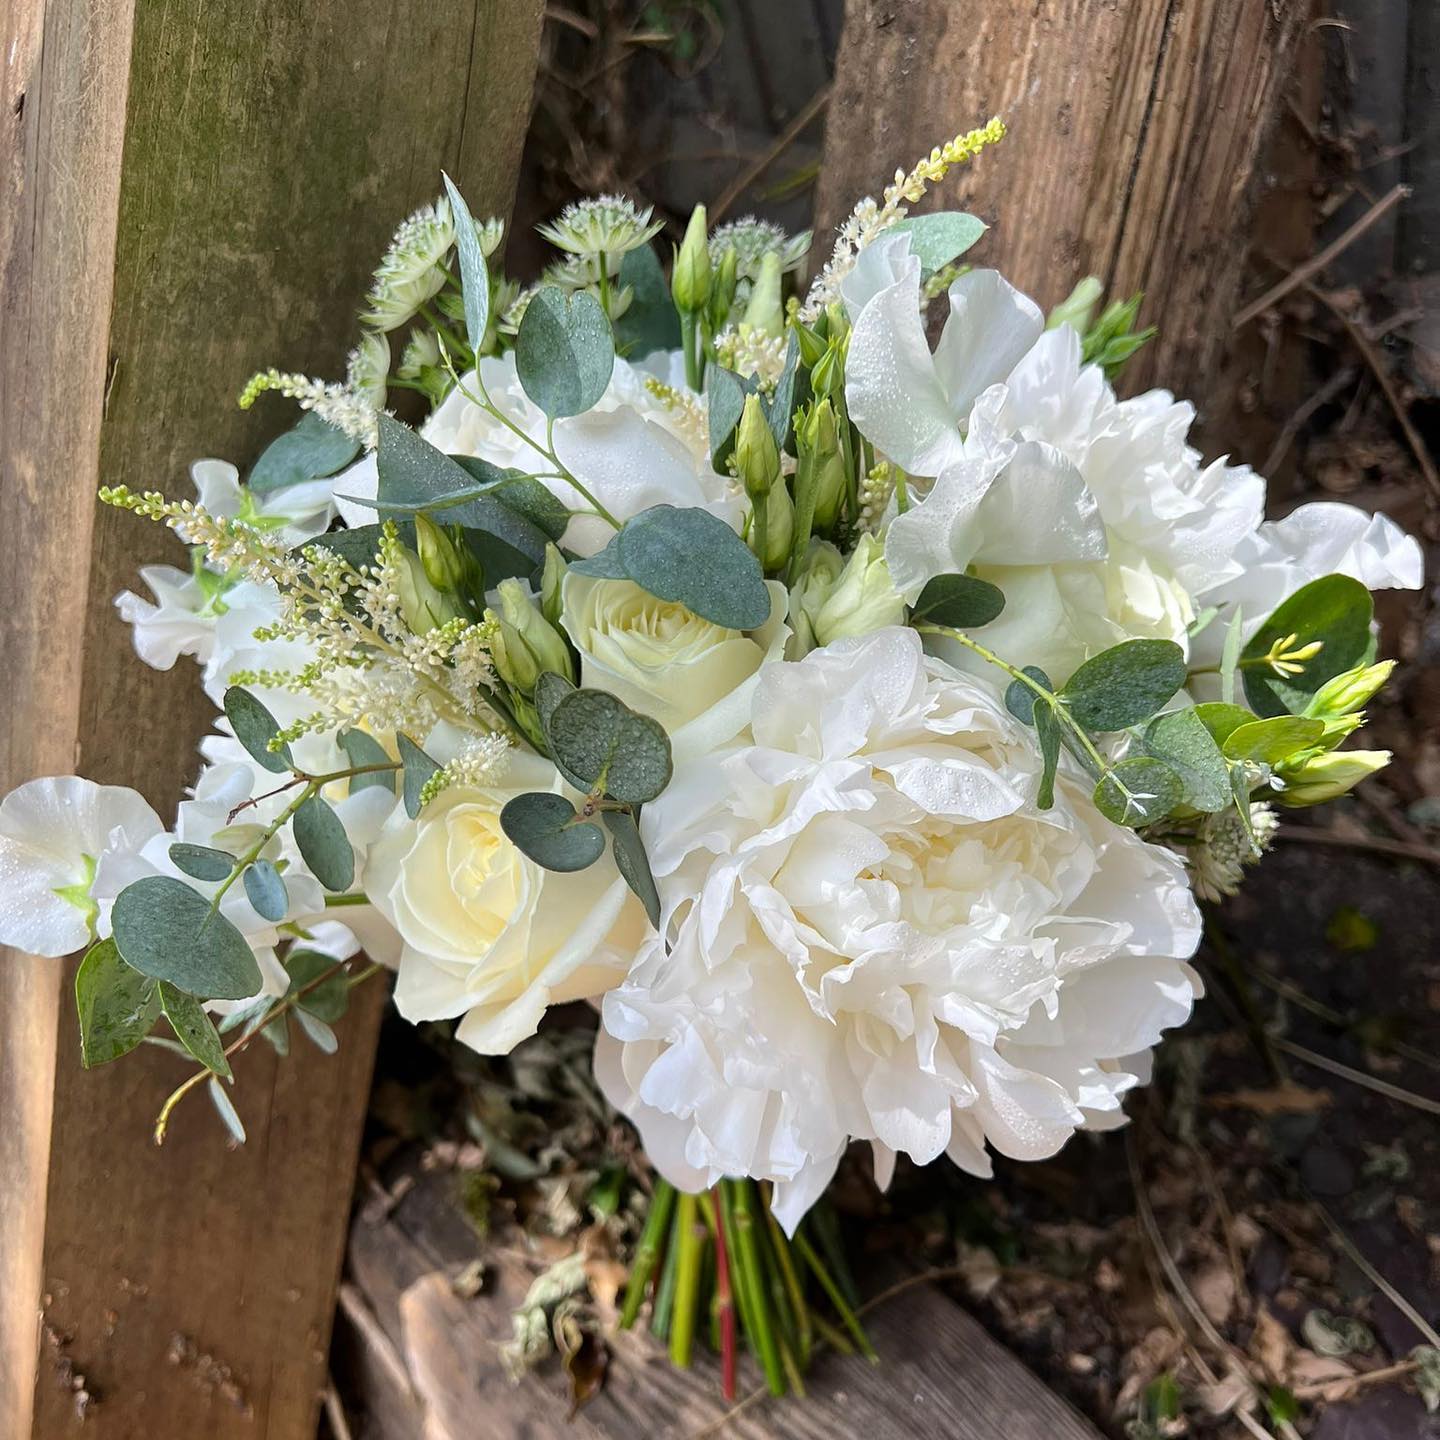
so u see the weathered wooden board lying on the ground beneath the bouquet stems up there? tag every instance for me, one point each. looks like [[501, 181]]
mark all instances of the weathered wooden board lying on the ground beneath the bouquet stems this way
[[427, 1369]]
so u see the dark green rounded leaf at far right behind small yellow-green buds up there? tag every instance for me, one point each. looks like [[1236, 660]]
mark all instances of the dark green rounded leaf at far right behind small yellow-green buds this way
[[1337, 614]]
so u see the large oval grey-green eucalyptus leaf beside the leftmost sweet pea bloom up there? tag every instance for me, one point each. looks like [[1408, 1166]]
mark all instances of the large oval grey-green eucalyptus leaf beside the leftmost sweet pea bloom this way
[[168, 931]]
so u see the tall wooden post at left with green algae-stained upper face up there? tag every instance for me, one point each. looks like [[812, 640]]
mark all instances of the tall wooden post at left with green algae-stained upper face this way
[[153, 258]]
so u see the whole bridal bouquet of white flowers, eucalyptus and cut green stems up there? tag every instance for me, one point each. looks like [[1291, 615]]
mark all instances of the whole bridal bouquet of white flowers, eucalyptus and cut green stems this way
[[855, 722]]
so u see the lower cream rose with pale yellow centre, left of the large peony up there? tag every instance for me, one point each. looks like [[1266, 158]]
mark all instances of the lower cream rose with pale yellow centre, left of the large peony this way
[[489, 934]]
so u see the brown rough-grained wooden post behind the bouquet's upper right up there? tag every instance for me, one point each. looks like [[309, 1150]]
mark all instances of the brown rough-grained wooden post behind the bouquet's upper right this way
[[1135, 135]]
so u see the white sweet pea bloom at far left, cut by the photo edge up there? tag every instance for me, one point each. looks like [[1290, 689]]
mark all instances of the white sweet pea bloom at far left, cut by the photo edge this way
[[55, 834]]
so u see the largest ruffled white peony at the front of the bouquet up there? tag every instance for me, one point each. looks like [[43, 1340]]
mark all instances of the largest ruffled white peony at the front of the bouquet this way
[[873, 932]]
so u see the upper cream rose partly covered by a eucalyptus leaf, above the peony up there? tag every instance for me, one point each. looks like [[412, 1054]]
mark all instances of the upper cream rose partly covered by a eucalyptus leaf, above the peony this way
[[659, 657]]
